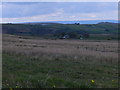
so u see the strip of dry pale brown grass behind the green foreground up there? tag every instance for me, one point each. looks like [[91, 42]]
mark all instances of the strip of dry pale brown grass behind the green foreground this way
[[72, 49]]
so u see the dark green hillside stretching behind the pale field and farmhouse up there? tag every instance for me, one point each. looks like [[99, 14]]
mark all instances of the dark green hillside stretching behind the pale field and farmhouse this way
[[58, 30]]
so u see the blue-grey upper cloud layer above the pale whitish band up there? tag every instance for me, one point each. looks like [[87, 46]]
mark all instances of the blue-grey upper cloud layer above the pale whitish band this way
[[31, 9]]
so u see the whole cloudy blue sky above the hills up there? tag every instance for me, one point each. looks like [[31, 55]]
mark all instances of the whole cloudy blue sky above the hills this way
[[58, 11]]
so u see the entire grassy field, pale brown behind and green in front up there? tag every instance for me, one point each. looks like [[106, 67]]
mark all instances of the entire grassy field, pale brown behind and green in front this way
[[43, 63]]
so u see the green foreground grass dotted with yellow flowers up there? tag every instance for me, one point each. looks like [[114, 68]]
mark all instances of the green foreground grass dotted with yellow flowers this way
[[25, 72]]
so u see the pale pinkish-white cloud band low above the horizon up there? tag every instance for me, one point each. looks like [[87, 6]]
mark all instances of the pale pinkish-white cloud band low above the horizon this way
[[61, 16]]
